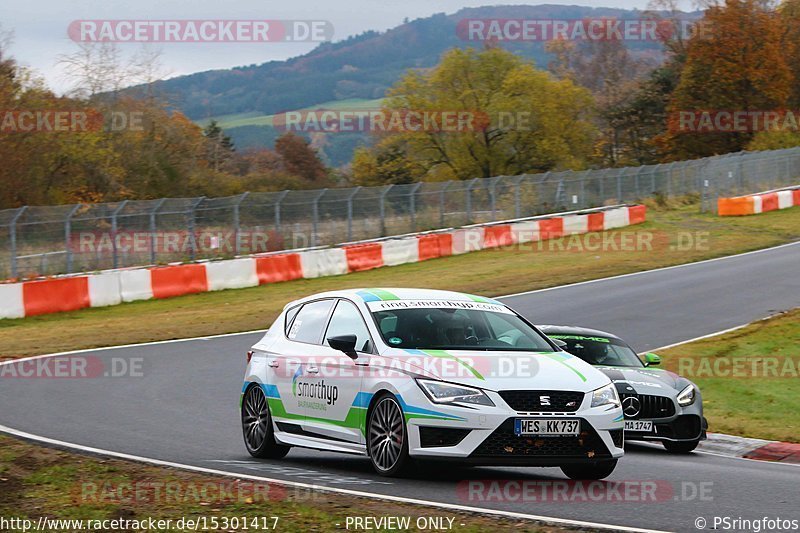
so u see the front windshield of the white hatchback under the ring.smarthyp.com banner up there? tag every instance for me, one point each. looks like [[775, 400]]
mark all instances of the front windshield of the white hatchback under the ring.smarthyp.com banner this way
[[496, 328]]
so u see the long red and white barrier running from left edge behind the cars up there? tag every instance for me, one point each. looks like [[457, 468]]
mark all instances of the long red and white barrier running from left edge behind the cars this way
[[69, 293]]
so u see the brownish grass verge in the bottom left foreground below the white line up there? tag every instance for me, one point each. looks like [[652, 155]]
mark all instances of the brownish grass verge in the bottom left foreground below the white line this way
[[37, 481]]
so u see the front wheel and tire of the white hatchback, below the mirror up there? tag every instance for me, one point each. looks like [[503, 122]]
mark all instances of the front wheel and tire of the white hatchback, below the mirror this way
[[387, 437]]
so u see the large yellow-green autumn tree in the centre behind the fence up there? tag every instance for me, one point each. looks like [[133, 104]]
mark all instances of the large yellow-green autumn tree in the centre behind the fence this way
[[522, 120]]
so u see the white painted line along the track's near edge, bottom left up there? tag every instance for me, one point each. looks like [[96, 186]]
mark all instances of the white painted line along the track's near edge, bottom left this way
[[399, 499]]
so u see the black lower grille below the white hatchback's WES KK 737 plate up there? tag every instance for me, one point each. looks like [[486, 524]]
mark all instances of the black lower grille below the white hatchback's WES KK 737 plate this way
[[504, 443]]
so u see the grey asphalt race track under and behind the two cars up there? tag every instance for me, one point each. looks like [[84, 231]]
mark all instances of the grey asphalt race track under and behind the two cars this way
[[184, 408]]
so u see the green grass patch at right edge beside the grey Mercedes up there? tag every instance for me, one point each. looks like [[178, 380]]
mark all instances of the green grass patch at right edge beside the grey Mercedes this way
[[748, 377]]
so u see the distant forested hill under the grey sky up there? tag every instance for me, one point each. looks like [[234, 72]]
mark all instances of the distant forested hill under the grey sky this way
[[361, 67]]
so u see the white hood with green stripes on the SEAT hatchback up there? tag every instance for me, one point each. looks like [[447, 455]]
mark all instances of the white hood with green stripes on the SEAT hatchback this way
[[502, 370]]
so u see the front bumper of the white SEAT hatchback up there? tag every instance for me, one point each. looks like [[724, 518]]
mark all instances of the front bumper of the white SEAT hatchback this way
[[485, 436]]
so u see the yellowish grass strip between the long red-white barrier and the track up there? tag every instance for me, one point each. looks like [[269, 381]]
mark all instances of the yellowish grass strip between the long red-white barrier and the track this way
[[490, 273]]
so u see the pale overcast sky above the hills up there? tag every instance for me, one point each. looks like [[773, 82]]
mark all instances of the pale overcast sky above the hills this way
[[40, 26]]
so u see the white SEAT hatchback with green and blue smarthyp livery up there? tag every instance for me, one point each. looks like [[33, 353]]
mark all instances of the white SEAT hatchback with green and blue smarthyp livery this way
[[406, 374]]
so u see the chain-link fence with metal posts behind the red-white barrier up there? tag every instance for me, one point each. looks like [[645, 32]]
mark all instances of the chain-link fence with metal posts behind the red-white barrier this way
[[36, 241]]
